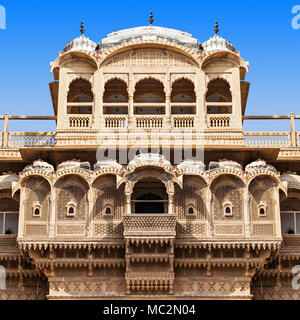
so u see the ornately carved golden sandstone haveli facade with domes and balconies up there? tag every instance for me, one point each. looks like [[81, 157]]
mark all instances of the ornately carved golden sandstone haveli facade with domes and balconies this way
[[154, 224]]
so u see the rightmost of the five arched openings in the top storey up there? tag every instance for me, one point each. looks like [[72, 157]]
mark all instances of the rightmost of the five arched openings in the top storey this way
[[218, 97]]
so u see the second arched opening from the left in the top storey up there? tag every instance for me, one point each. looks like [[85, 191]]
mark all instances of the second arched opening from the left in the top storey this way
[[115, 92]]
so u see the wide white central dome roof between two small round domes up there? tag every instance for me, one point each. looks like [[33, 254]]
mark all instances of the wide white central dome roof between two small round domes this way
[[149, 33]]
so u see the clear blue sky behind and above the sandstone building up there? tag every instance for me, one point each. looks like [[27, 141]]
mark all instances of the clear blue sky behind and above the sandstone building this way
[[261, 30]]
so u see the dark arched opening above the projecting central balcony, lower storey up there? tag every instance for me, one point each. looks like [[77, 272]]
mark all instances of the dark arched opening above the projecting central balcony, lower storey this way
[[149, 197]]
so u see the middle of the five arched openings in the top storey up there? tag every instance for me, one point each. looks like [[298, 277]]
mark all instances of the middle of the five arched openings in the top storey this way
[[147, 93]]
